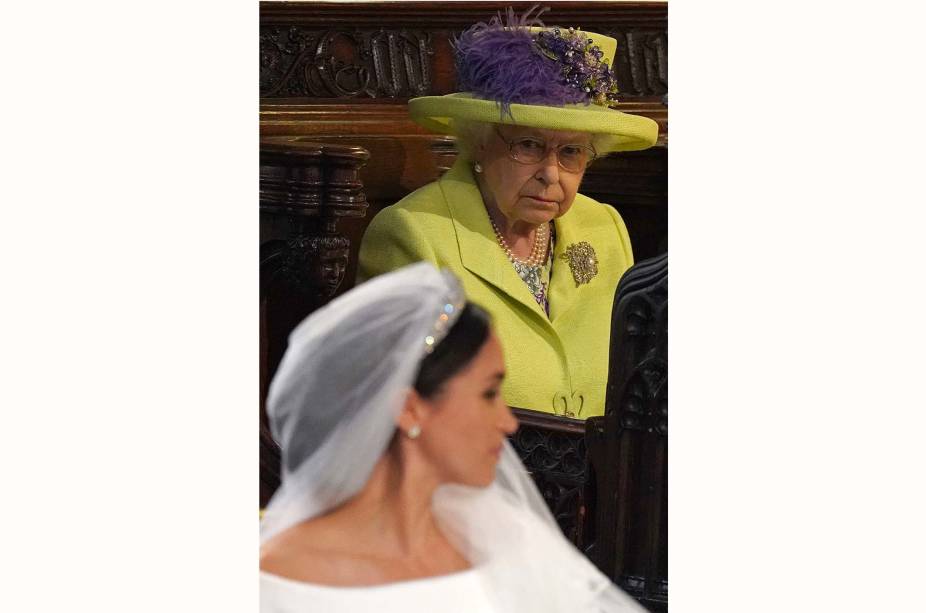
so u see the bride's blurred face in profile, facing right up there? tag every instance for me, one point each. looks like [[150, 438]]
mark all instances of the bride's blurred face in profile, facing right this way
[[465, 430]]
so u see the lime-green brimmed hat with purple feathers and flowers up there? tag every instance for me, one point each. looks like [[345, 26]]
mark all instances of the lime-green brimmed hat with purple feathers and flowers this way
[[524, 73]]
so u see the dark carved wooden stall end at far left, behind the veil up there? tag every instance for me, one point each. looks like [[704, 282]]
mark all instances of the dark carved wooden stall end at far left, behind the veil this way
[[306, 190]]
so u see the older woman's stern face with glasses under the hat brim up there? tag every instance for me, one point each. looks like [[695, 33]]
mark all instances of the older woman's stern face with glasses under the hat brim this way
[[528, 193]]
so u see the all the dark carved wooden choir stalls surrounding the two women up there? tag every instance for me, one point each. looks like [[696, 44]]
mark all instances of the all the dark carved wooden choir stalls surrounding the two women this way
[[337, 145]]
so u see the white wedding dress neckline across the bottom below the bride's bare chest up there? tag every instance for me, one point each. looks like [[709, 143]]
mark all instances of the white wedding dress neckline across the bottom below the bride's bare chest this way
[[461, 592]]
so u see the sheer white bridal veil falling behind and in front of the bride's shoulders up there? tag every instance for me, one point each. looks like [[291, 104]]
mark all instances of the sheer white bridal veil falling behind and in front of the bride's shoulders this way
[[332, 408]]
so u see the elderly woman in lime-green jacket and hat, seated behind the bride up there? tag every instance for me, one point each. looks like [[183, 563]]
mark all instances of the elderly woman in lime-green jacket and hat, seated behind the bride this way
[[508, 220]]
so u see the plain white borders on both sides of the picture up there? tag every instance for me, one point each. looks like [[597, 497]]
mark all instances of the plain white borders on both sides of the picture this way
[[129, 254]]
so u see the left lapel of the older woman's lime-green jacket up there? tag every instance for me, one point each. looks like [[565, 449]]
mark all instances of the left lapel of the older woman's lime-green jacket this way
[[479, 250]]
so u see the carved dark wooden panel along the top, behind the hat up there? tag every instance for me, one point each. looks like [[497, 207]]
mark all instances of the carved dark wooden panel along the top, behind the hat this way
[[397, 50]]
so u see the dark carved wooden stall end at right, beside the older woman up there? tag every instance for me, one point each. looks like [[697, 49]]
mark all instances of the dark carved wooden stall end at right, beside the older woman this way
[[627, 447]]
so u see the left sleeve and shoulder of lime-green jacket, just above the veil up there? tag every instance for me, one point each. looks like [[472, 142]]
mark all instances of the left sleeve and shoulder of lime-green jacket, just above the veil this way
[[391, 241]]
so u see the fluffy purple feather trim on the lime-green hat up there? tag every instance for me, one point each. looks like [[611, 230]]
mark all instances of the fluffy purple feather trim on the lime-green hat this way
[[502, 63]]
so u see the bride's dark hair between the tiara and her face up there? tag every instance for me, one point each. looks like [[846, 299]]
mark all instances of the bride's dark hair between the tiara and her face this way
[[455, 351]]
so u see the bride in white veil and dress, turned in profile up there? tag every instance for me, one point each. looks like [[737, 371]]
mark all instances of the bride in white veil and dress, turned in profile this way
[[399, 490]]
